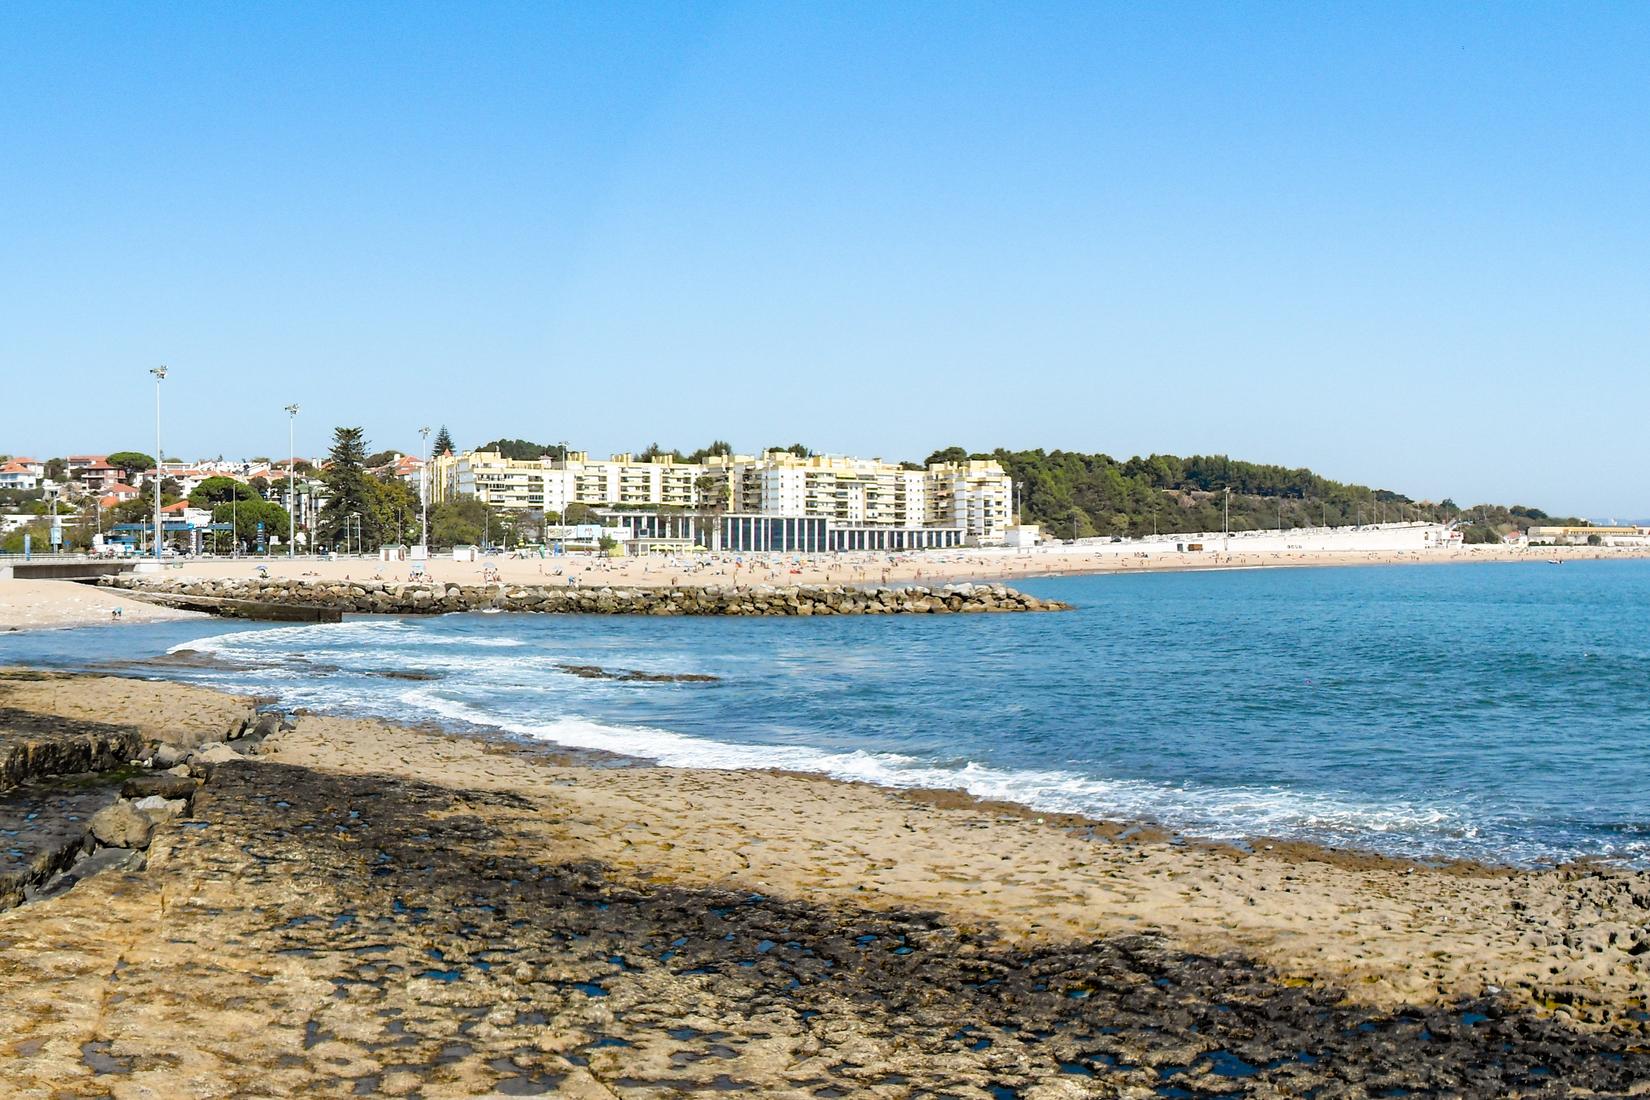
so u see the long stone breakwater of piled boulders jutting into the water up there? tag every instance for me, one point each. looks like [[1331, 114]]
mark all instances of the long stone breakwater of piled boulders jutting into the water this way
[[435, 598]]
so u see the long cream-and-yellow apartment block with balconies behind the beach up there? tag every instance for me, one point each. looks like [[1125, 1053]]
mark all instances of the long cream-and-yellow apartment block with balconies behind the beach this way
[[974, 497]]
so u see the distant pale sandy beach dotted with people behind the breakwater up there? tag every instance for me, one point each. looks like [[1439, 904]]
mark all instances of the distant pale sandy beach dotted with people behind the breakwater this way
[[862, 568]]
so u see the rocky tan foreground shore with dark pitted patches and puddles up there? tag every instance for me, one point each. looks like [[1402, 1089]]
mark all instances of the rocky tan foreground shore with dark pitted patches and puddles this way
[[354, 906]]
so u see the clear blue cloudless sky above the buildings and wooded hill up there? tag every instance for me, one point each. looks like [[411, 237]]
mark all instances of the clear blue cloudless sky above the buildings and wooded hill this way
[[1403, 245]]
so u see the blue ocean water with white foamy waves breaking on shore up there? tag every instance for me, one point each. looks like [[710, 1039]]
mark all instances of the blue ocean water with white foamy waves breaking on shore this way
[[1491, 712]]
